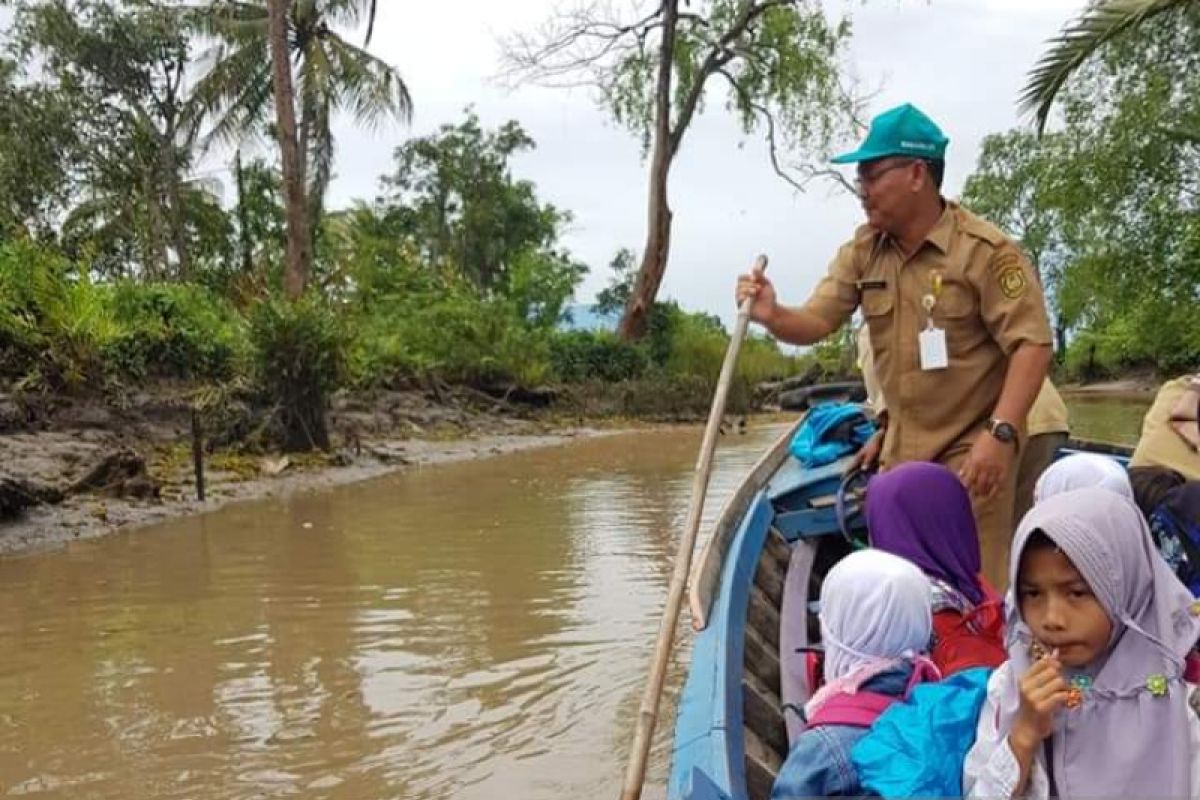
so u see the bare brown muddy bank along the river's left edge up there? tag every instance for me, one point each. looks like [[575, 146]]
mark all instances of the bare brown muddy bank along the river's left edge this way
[[86, 468]]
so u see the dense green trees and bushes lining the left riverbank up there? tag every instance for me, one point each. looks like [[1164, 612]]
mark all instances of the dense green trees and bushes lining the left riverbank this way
[[119, 264]]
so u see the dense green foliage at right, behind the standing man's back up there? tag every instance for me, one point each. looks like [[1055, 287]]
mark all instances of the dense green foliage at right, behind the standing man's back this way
[[1108, 202]]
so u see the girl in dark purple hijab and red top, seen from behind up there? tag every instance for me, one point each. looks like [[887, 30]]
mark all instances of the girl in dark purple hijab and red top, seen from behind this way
[[921, 513]]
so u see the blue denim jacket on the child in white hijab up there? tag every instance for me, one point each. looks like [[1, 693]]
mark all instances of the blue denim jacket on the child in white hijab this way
[[819, 765]]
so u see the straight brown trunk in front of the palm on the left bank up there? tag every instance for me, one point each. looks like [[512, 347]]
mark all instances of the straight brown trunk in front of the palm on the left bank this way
[[296, 276]]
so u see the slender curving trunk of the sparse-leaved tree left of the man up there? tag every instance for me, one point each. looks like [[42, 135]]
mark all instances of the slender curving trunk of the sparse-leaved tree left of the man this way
[[658, 236]]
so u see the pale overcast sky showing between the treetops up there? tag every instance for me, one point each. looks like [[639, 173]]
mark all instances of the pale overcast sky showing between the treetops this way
[[963, 62]]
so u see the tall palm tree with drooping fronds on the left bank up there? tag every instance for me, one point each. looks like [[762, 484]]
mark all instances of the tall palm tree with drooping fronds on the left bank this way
[[329, 76]]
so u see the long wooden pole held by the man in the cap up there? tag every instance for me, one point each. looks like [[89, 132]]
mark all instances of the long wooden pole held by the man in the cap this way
[[649, 714]]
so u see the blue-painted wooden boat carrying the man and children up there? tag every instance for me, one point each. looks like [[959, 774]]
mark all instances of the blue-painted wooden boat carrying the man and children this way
[[752, 598]]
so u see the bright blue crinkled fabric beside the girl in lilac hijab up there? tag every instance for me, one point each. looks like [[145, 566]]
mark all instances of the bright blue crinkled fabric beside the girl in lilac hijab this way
[[916, 749]]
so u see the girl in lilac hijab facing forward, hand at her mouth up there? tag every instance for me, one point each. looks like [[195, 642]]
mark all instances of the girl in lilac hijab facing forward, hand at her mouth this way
[[1093, 702]]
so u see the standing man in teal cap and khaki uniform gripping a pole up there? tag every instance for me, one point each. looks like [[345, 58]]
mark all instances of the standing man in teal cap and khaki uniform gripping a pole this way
[[957, 320]]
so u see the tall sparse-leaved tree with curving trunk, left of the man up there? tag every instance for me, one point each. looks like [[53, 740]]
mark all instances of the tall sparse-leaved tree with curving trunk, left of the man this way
[[778, 62]]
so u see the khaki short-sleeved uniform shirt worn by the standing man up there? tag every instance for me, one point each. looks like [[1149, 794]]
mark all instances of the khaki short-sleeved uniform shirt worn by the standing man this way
[[989, 304]]
